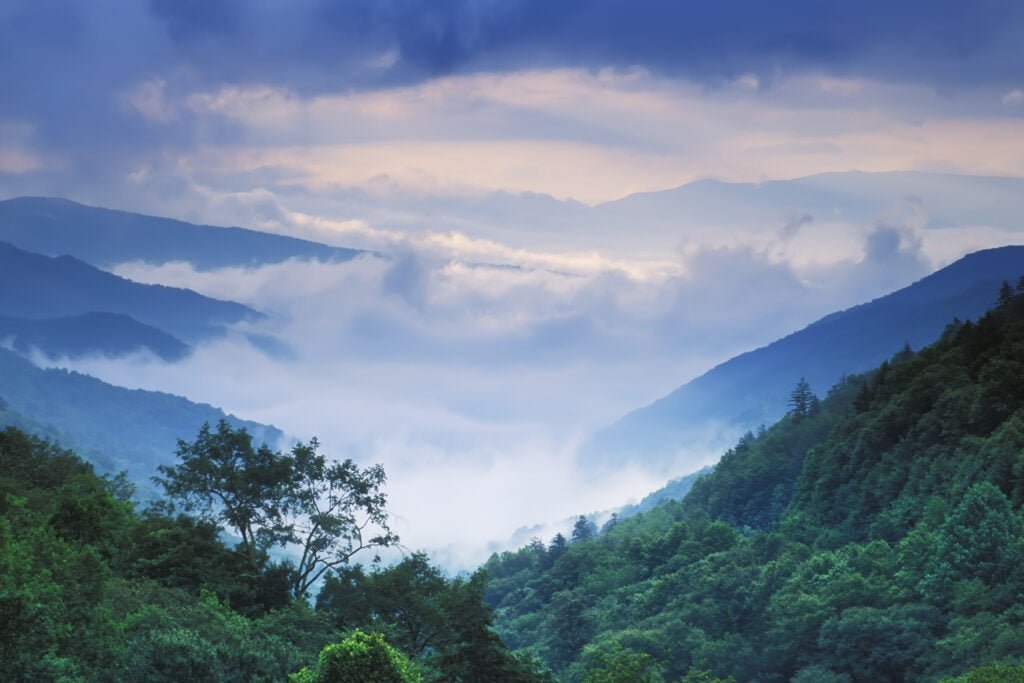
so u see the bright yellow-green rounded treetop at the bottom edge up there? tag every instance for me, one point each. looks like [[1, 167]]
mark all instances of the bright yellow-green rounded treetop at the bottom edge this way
[[361, 658]]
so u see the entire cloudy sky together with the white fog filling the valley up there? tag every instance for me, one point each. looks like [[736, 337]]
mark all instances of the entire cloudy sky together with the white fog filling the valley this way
[[485, 150]]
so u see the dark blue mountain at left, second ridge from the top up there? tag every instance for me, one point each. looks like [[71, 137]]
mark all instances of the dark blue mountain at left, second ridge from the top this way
[[33, 286]]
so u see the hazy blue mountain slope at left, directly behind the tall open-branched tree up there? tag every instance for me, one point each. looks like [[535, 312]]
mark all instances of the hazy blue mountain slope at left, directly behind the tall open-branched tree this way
[[114, 428]]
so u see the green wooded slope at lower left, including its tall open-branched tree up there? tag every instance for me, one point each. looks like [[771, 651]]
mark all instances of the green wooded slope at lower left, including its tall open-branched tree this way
[[93, 589]]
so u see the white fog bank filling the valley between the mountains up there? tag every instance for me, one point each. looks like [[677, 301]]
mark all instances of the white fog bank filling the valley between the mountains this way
[[474, 385]]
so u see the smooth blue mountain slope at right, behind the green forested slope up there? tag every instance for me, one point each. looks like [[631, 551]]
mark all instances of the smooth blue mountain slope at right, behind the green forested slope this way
[[753, 389]]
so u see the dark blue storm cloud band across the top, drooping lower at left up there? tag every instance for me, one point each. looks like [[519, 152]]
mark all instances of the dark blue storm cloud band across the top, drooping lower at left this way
[[67, 65]]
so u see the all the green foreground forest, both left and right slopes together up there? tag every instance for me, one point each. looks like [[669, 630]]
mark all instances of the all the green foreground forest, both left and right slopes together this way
[[873, 535]]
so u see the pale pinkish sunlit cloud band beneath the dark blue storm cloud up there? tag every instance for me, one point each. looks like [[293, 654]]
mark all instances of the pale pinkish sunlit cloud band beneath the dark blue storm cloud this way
[[588, 136]]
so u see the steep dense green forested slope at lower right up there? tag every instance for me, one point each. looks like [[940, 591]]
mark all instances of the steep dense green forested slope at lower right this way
[[874, 536]]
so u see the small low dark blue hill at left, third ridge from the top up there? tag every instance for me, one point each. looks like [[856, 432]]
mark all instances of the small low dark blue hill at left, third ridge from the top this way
[[89, 334]]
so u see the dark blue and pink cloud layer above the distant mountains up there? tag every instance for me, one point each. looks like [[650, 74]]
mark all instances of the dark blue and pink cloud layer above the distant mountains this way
[[525, 92]]
